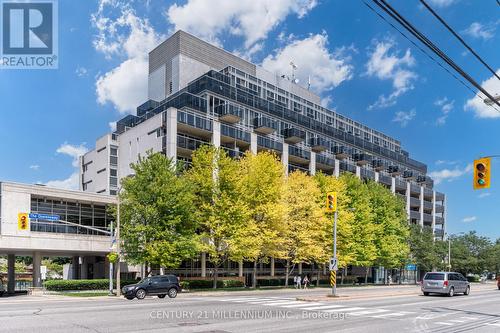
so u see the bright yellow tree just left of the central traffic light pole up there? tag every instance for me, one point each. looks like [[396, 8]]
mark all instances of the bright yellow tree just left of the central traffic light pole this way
[[305, 233]]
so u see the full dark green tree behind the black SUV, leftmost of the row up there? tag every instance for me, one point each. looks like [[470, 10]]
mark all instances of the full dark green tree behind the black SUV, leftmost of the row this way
[[157, 214]]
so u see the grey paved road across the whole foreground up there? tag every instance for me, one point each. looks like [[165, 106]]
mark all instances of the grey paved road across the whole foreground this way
[[375, 309]]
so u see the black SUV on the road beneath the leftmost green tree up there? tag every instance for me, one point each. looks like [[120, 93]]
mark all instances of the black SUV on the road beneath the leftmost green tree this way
[[160, 285]]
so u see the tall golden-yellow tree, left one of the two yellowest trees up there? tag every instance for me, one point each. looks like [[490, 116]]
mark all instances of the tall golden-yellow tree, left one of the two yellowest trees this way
[[262, 181]]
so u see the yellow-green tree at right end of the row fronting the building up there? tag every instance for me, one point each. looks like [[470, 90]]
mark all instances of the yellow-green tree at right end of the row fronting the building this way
[[392, 232]]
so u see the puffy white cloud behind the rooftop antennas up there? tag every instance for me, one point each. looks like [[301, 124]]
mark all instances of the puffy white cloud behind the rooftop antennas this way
[[325, 69]]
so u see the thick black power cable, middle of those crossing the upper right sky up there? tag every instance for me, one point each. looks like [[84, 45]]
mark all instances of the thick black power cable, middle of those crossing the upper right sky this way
[[424, 40]]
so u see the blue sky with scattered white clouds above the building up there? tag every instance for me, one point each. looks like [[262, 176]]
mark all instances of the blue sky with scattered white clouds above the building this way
[[357, 63]]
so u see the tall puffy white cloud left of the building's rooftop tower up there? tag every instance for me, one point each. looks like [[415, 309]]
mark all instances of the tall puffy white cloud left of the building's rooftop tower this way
[[132, 37]]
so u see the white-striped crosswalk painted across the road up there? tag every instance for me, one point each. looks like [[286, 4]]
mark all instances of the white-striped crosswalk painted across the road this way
[[326, 307]]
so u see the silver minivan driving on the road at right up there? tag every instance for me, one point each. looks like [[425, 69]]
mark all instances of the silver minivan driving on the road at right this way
[[449, 283]]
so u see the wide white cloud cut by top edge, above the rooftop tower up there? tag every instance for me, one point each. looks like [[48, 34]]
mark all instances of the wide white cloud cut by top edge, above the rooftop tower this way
[[250, 19]]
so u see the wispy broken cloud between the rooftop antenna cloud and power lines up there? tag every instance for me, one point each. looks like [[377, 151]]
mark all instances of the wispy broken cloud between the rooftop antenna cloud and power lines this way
[[387, 65]]
